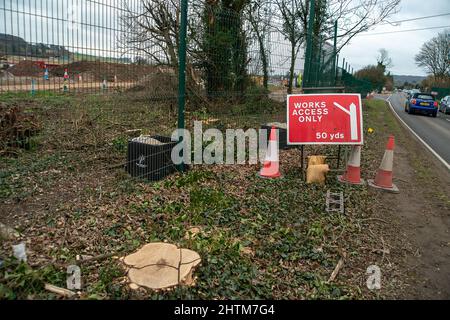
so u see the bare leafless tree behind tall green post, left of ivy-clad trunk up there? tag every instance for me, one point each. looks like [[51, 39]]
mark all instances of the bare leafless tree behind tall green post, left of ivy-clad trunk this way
[[151, 32]]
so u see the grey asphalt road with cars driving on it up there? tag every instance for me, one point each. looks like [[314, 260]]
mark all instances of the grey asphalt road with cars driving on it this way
[[434, 131]]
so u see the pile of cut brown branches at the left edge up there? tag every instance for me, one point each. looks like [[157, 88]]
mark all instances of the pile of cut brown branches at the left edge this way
[[16, 129]]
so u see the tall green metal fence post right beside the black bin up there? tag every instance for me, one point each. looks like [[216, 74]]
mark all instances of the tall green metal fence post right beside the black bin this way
[[182, 69]]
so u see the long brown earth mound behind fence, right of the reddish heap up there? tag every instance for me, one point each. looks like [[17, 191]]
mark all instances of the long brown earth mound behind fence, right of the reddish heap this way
[[100, 71]]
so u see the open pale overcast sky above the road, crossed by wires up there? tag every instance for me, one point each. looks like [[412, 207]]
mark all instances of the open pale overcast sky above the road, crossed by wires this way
[[402, 47]]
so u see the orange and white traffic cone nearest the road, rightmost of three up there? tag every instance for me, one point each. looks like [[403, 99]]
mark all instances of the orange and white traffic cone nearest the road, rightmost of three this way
[[383, 180]]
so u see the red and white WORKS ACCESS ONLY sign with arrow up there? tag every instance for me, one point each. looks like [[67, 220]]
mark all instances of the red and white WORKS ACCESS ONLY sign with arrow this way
[[325, 119]]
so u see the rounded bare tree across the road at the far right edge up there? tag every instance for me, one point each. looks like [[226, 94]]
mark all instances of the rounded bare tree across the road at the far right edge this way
[[434, 56]]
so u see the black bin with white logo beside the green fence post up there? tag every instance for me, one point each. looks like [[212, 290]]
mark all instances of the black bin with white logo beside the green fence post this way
[[151, 157]]
